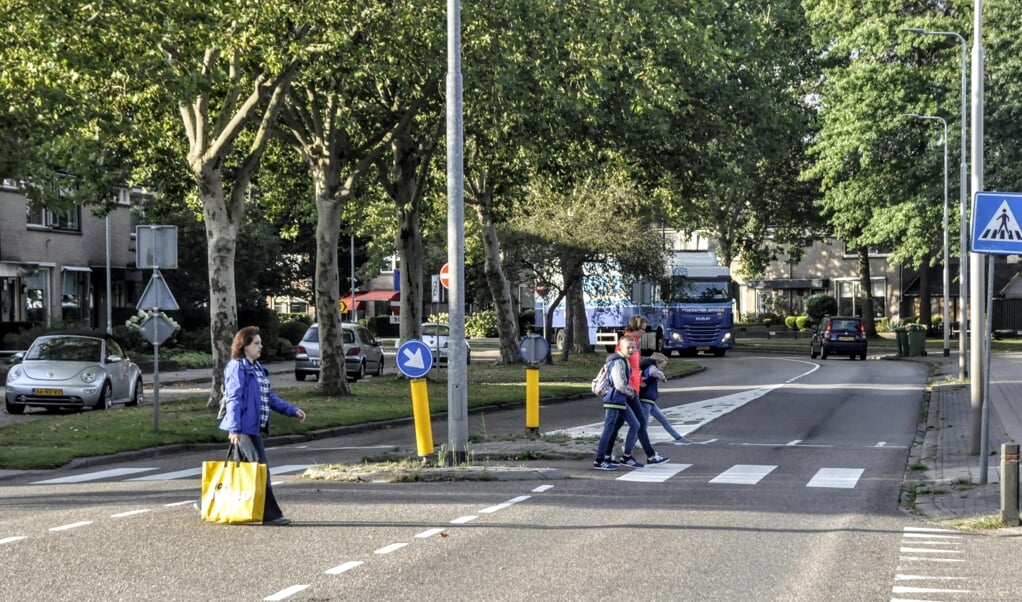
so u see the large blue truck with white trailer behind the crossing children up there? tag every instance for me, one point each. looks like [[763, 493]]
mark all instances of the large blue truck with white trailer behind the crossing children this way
[[691, 310]]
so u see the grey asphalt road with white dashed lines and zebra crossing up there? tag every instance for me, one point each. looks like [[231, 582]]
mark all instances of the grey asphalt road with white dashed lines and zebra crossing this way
[[791, 493]]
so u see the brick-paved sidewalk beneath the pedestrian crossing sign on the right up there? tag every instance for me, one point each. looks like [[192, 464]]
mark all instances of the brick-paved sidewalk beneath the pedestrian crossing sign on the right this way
[[949, 488]]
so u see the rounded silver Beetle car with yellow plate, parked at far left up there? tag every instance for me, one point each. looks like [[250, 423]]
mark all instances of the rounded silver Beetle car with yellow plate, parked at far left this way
[[73, 372]]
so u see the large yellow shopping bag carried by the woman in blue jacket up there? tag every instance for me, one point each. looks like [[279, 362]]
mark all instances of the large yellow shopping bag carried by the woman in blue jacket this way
[[234, 491]]
